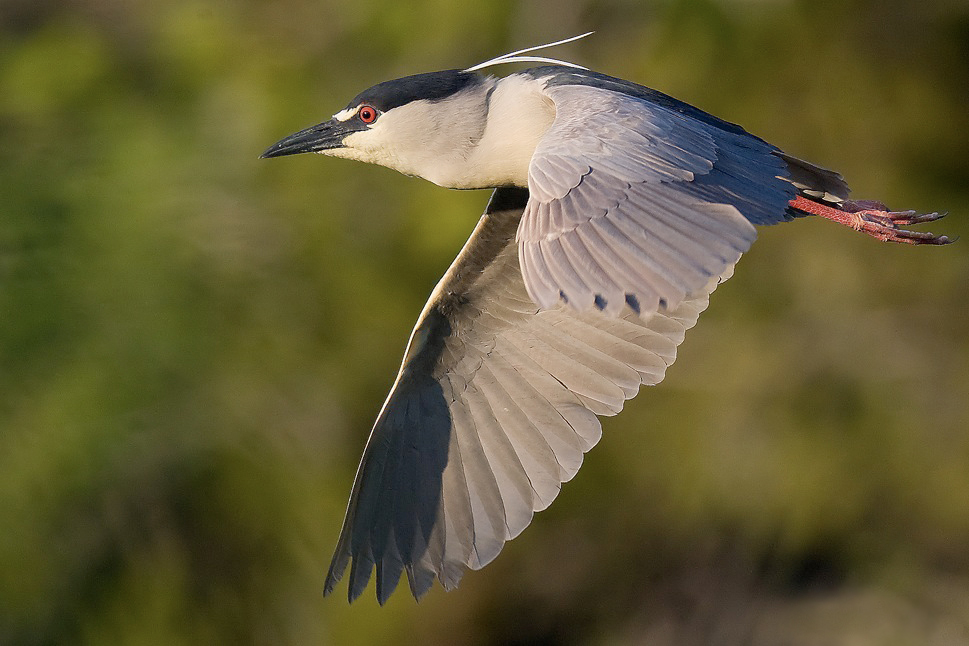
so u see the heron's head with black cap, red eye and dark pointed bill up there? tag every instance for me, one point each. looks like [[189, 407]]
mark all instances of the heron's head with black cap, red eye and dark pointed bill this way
[[421, 125]]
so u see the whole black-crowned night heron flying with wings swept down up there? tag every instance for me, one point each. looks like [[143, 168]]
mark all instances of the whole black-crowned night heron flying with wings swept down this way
[[615, 212]]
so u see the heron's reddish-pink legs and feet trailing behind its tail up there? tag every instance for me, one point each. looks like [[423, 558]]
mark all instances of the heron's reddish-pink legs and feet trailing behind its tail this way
[[875, 219]]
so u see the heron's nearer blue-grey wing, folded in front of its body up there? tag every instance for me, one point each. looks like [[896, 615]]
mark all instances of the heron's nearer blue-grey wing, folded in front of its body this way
[[639, 202]]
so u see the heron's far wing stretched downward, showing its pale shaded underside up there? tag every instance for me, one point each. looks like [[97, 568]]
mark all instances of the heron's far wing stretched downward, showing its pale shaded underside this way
[[492, 410]]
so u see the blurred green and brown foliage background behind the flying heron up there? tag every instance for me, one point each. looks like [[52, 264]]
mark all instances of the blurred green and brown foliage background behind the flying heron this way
[[194, 342]]
